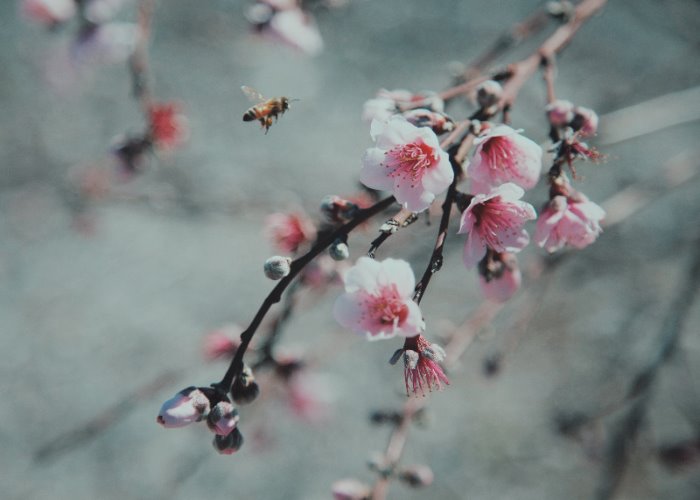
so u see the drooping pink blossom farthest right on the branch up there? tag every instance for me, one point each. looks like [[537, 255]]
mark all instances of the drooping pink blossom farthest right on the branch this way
[[575, 222]]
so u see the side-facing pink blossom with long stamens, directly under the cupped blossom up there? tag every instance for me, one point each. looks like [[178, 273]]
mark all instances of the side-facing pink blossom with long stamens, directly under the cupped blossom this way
[[495, 221]]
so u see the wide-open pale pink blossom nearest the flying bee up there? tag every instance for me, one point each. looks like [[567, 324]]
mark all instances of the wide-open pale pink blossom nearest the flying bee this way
[[408, 161]]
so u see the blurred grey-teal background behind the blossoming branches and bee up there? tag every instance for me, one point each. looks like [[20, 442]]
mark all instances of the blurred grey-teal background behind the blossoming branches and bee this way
[[105, 302]]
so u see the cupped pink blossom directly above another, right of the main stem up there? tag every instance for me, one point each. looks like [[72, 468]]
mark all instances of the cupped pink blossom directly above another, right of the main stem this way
[[503, 155]]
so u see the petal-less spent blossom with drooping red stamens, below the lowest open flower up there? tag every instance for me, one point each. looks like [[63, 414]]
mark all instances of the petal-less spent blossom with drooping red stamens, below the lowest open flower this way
[[422, 368]]
